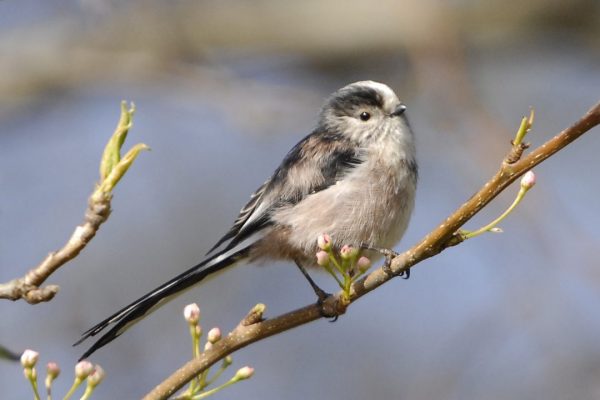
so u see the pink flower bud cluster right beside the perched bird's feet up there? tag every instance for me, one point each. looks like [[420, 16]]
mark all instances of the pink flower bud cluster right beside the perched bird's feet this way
[[346, 265]]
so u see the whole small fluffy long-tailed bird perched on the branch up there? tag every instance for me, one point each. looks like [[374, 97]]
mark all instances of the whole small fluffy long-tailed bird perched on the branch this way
[[354, 177]]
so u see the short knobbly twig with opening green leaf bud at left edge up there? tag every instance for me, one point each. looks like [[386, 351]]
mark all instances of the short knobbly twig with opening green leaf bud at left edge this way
[[112, 168]]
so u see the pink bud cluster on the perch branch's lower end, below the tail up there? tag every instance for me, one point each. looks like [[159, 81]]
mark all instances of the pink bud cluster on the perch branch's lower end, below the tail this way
[[198, 386]]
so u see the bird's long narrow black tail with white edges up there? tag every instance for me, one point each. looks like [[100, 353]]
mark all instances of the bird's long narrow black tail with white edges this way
[[134, 312]]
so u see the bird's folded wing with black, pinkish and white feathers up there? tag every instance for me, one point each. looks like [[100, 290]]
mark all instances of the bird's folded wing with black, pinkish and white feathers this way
[[324, 158]]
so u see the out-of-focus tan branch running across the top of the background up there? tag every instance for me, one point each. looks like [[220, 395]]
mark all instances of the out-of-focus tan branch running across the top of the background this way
[[139, 42]]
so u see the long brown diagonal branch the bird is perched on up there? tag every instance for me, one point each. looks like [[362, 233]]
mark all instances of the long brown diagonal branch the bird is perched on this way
[[444, 236]]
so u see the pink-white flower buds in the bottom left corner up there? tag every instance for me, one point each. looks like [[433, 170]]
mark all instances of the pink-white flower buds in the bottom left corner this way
[[84, 370]]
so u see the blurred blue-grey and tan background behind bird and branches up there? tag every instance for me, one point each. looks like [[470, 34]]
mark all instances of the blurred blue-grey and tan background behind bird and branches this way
[[223, 89]]
